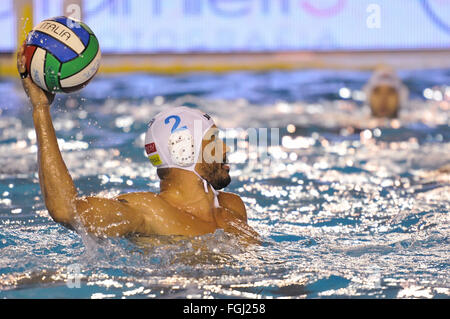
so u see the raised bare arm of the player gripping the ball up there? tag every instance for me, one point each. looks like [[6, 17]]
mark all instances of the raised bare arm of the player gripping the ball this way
[[100, 216]]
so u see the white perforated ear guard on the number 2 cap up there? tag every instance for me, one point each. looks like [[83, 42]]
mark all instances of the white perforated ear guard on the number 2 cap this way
[[181, 148]]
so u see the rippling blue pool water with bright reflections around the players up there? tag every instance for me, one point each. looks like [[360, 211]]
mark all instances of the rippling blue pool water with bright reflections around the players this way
[[347, 206]]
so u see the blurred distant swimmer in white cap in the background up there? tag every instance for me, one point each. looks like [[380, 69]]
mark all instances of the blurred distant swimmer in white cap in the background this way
[[385, 93]]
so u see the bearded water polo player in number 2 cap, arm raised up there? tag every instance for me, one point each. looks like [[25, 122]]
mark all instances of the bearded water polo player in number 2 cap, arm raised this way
[[182, 143]]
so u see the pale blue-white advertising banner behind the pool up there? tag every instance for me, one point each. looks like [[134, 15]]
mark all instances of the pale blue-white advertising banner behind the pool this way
[[152, 26]]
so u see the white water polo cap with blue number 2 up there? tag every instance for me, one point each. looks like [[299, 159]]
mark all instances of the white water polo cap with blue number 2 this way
[[174, 140]]
